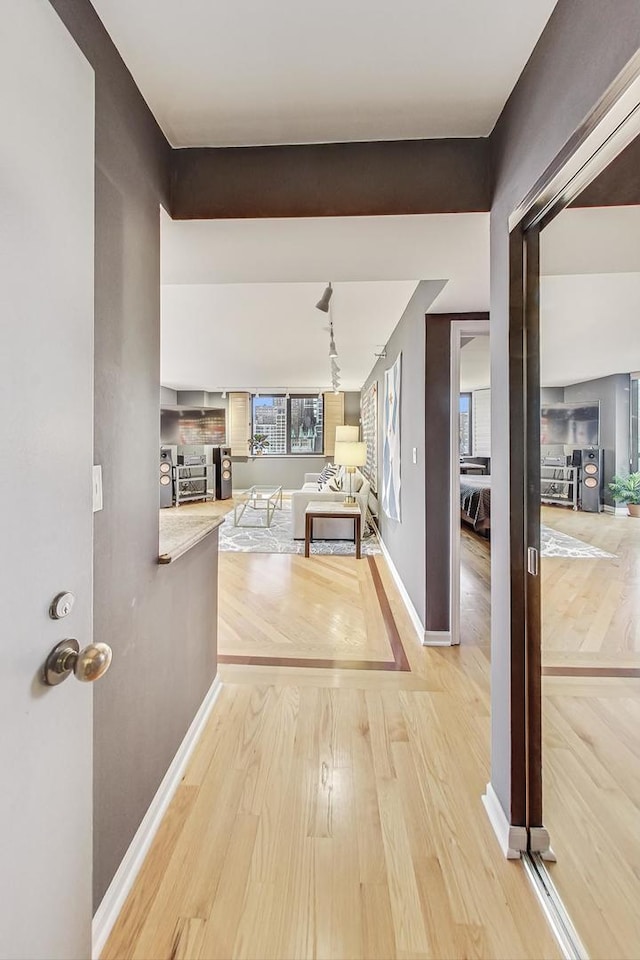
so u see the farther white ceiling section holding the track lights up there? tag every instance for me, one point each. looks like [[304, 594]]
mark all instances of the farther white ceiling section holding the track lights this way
[[269, 336]]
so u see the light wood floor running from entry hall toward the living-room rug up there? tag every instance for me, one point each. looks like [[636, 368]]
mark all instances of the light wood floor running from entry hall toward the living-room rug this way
[[334, 813]]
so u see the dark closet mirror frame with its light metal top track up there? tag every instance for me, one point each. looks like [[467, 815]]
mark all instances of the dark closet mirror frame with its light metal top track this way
[[592, 148]]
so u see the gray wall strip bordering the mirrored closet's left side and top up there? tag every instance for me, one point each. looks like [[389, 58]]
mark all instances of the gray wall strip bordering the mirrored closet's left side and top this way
[[580, 53]]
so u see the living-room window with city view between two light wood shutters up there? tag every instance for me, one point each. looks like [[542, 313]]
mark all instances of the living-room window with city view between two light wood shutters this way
[[292, 425]]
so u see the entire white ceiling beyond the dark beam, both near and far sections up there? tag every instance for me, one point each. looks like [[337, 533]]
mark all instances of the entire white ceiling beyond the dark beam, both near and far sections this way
[[238, 297]]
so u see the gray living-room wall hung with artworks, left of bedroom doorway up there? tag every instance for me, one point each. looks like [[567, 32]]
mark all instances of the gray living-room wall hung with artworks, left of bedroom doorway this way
[[405, 539]]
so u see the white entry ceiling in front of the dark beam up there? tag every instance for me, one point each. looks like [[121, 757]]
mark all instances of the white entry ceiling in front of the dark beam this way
[[224, 72]]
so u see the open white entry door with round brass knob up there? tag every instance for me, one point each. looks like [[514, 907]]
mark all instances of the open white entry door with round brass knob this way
[[46, 439]]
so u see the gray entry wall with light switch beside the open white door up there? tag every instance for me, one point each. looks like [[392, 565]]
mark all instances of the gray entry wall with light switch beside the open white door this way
[[159, 620]]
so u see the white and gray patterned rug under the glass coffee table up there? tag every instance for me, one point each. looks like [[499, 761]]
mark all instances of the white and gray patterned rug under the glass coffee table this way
[[278, 539]]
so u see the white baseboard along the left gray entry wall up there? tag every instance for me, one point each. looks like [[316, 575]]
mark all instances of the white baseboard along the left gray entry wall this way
[[119, 888]]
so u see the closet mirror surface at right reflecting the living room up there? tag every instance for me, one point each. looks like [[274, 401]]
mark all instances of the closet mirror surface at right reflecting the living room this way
[[589, 363]]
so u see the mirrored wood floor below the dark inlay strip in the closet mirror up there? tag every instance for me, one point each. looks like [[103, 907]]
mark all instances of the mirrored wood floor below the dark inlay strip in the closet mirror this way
[[592, 807]]
